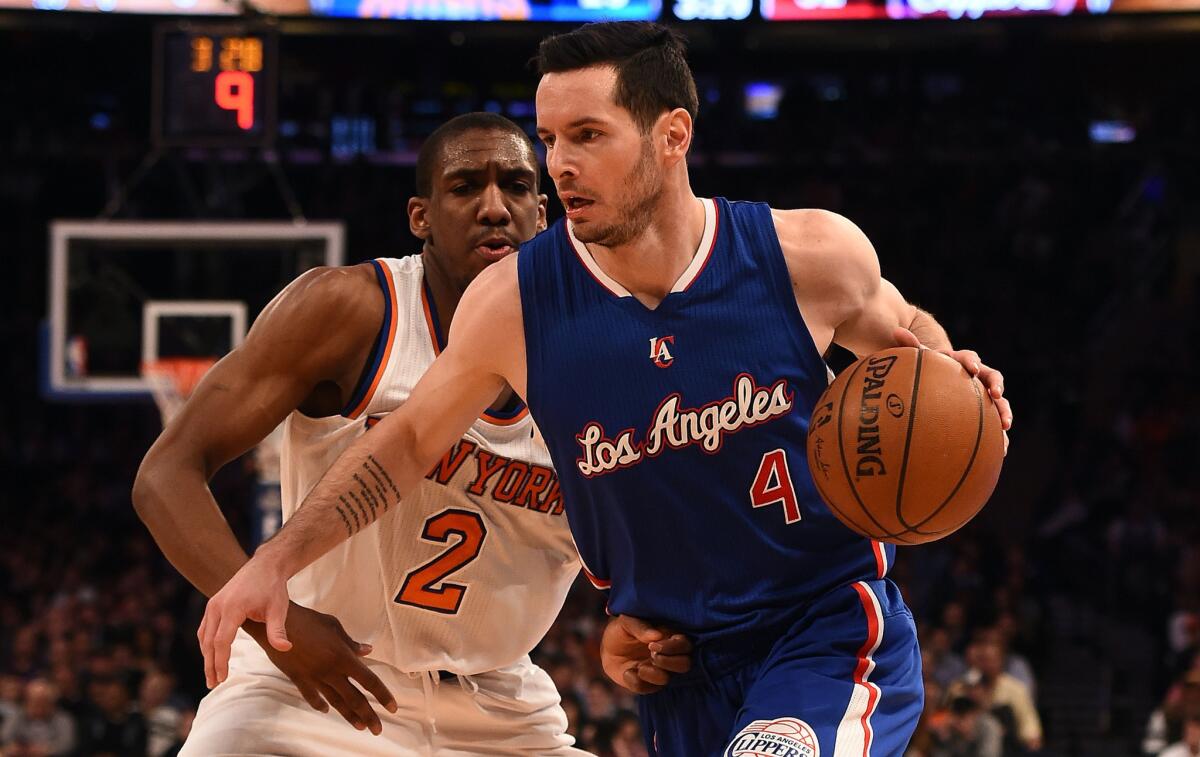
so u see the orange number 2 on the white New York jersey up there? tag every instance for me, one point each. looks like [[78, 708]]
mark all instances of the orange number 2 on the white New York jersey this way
[[419, 588]]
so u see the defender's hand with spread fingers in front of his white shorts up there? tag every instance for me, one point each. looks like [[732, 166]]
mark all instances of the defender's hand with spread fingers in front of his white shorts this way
[[322, 663]]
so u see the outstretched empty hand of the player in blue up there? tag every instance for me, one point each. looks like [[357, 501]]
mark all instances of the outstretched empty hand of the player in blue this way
[[257, 592]]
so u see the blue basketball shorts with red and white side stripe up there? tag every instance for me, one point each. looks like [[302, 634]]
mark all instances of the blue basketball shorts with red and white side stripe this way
[[843, 682]]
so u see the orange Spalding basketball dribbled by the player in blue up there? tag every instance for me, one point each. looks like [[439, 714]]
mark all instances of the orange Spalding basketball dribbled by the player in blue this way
[[905, 446]]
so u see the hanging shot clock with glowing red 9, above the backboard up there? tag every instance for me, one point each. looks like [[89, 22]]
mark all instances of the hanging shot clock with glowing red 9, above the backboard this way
[[215, 86]]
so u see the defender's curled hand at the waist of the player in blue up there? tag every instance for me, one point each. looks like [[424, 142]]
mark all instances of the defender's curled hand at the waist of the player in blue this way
[[641, 657]]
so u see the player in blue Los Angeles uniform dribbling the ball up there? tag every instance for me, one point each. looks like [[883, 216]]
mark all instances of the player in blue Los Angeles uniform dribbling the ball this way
[[670, 349]]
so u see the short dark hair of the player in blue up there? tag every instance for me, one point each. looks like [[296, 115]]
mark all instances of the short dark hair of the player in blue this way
[[651, 61]]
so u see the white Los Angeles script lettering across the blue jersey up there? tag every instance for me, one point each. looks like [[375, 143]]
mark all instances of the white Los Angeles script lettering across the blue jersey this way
[[674, 426]]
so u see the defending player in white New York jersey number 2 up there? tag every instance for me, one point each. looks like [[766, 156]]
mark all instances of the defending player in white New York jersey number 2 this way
[[449, 597]]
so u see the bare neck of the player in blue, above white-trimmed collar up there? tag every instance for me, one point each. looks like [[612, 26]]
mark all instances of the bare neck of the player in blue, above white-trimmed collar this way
[[650, 265]]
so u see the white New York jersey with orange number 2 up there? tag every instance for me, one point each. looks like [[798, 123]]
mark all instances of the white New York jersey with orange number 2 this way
[[469, 573]]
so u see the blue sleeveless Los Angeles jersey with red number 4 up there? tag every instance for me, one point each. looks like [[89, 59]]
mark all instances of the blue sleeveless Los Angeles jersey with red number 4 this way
[[675, 431]]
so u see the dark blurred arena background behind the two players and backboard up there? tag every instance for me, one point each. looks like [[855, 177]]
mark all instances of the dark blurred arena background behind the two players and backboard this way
[[963, 151]]
